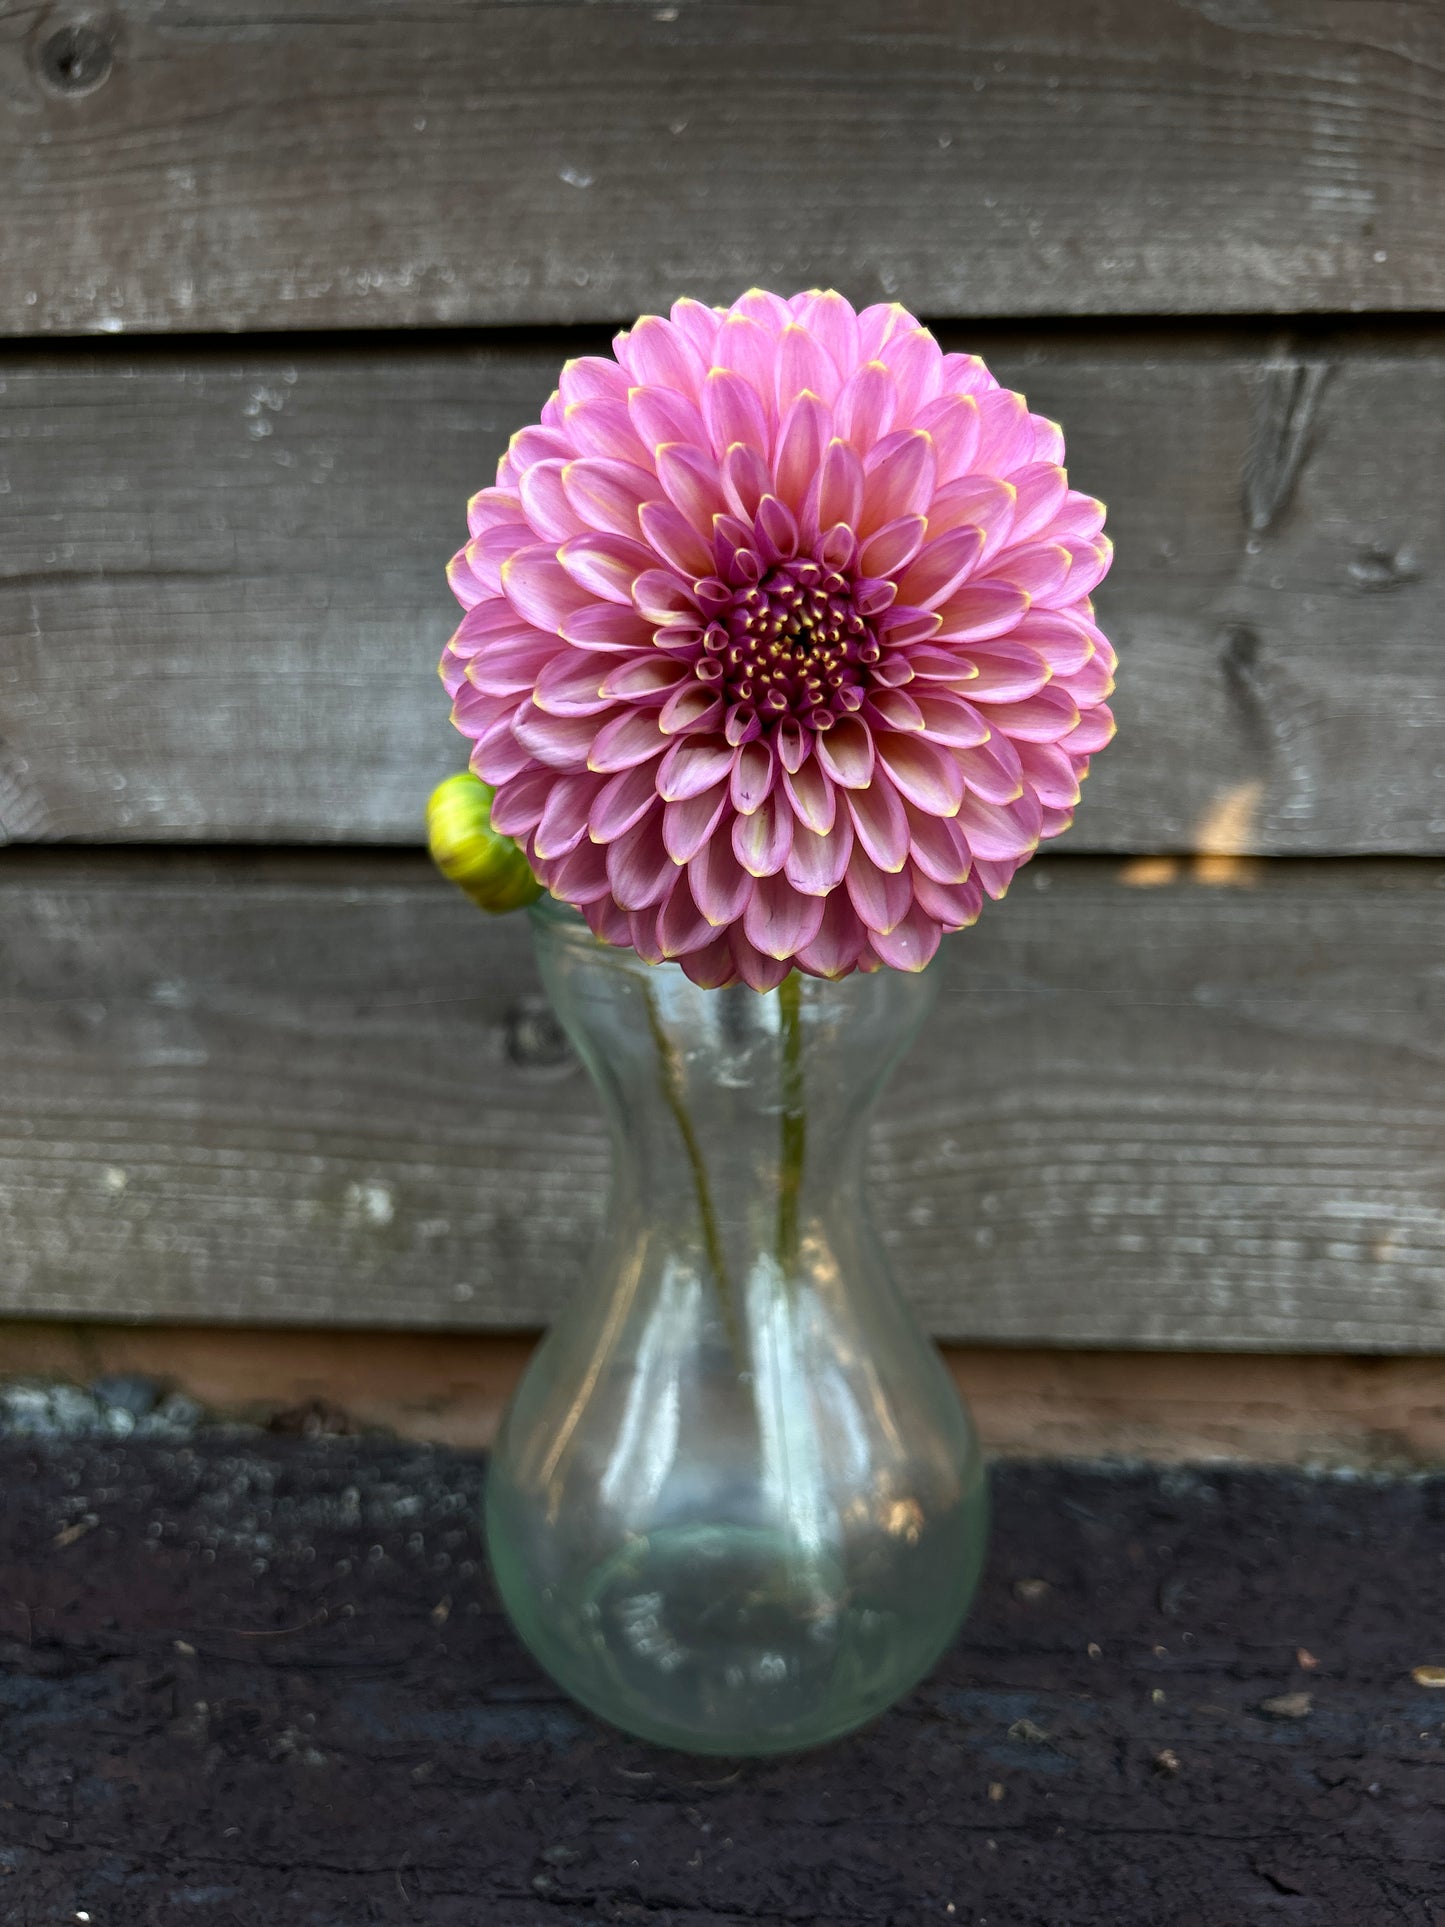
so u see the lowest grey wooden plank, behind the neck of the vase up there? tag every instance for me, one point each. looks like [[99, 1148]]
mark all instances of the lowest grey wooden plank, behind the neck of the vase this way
[[1151, 1113]]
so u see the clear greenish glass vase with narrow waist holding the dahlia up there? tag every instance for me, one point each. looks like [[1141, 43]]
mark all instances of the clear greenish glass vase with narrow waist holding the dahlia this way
[[737, 1504]]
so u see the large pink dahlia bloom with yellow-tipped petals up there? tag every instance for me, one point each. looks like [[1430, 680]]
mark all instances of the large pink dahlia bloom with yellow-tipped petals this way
[[777, 645]]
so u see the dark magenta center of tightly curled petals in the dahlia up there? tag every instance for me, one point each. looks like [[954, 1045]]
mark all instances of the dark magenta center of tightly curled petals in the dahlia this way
[[791, 645]]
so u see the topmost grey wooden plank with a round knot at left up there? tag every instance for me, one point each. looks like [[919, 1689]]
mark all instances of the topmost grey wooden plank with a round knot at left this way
[[369, 165]]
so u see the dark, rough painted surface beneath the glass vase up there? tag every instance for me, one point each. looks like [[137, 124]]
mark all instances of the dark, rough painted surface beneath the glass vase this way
[[263, 1681]]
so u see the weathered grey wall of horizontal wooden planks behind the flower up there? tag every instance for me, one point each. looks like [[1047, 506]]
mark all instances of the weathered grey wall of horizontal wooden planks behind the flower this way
[[259, 1065]]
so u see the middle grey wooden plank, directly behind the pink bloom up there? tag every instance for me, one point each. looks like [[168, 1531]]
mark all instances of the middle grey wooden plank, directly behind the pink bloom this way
[[223, 594]]
